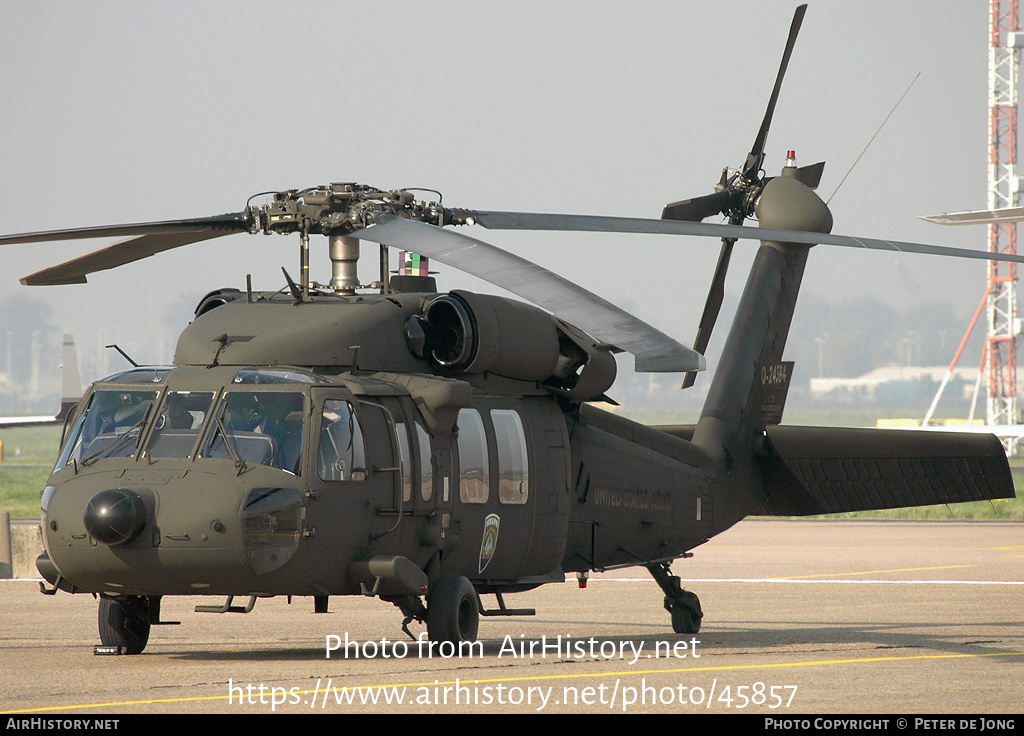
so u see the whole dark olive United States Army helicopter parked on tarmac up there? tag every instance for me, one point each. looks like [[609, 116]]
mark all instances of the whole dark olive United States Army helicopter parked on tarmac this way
[[431, 449]]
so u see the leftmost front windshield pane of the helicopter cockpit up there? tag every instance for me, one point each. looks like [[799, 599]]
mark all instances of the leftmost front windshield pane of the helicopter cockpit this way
[[110, 427]]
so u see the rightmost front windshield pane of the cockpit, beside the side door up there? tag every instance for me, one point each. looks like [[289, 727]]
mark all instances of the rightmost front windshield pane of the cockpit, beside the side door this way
[[260, 428]]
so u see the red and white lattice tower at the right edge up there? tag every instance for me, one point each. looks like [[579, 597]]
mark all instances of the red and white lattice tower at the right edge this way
[[1004, 188]]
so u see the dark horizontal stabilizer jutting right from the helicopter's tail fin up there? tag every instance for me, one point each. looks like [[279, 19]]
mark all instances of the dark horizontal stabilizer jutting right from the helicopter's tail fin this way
[[826, 470]]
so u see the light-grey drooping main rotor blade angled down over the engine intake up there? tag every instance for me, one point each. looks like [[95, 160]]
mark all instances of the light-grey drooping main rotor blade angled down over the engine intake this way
[[654, 351]]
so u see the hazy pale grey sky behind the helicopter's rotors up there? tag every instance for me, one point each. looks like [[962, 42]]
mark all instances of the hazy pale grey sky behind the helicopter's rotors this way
[[127, 112]]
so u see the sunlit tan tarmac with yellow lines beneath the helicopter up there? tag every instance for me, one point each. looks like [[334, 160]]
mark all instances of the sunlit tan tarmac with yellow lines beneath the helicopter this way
[[800, 617]]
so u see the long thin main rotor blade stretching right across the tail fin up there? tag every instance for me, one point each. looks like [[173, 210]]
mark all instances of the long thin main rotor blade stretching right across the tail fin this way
[[600, 224]]
